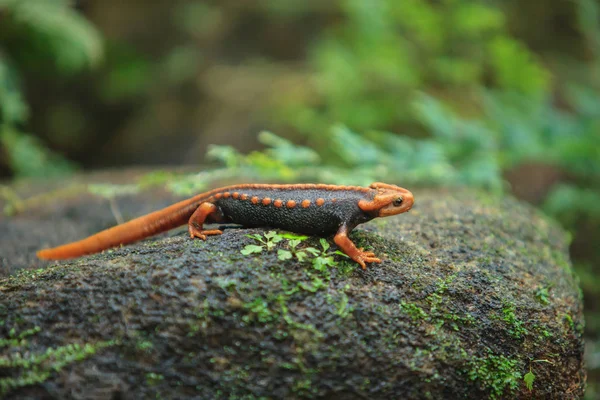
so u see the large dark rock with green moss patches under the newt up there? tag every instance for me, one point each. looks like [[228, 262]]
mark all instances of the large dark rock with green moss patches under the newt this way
[[475, 298]]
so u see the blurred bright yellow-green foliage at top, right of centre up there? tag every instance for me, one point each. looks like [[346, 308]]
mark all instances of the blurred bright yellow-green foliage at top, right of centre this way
[[370, 67]]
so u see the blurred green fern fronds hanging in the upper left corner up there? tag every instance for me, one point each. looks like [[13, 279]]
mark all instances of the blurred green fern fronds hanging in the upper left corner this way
[[49, 37]]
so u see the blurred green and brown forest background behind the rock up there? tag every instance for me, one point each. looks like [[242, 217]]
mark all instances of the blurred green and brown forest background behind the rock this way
[[500, 95]]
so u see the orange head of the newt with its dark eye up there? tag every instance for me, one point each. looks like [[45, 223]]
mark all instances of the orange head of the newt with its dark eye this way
[[388, 200]]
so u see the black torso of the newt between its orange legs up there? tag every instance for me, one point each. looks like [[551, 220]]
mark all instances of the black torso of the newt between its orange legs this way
[[340, 207]]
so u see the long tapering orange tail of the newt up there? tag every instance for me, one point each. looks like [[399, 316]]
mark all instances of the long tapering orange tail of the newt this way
[[134, 230]]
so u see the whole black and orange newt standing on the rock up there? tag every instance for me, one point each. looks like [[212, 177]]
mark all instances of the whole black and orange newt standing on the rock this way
[[316, 209]]
